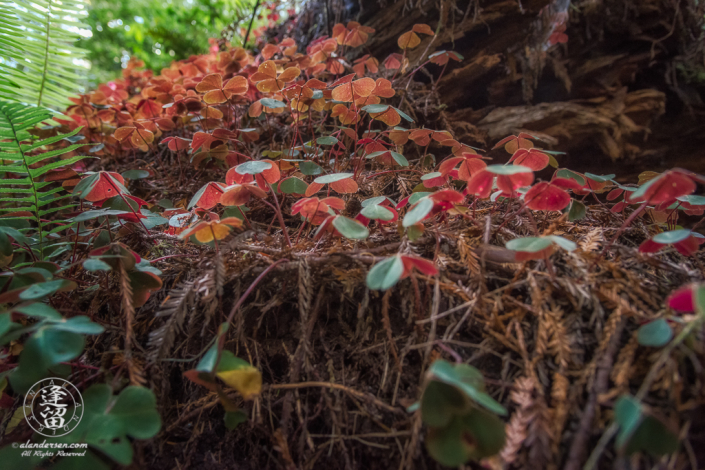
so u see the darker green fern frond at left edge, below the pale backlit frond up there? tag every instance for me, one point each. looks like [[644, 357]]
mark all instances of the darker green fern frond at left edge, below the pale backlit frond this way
[[21, 166]]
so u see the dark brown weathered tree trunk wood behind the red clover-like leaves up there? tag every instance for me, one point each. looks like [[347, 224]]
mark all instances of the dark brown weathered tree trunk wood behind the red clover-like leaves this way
[[617, 92]]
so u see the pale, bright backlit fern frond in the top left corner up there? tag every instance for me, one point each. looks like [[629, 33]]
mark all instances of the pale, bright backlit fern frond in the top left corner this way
[[39, 60]]
